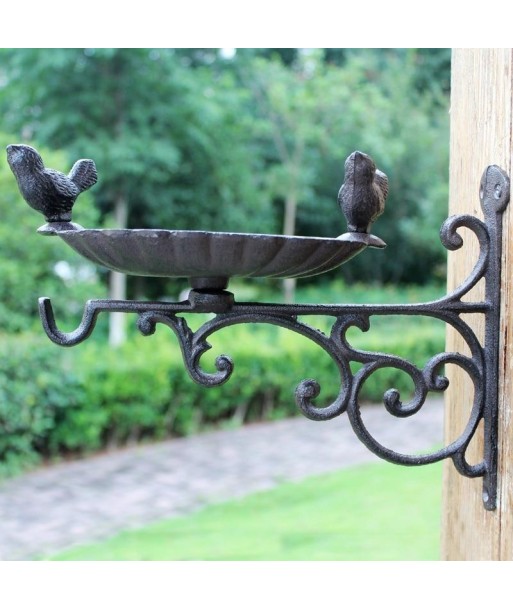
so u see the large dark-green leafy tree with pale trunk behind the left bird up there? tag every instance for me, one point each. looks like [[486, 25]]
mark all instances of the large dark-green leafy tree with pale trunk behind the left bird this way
[[159, 134]]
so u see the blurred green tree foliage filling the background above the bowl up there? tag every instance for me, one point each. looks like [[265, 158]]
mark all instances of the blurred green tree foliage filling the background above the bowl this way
[[186, 139]]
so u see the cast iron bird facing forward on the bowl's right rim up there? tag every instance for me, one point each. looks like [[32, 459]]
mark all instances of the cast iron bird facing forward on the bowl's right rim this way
[[363, 193]]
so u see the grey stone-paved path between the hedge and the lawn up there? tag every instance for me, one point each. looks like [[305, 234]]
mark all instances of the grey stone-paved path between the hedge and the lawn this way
[[71, 503]]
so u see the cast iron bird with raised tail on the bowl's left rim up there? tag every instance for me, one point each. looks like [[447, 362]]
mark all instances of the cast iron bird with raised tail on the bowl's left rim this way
[[48, 191]]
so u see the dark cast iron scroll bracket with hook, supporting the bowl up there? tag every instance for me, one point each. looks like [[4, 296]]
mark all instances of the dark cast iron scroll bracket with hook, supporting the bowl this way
[[482, 366]]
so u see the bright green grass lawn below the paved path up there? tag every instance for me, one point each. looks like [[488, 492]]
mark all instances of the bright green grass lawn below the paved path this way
[[371, 512]]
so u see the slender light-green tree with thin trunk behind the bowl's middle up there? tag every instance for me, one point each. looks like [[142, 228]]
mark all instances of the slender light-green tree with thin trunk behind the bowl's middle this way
[[293, 115]]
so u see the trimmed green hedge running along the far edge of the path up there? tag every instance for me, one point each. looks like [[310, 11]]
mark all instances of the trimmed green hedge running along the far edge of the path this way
[[56, 401]]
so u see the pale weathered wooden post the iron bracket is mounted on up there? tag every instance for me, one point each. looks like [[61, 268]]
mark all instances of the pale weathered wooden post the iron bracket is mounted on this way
[[481, 135]]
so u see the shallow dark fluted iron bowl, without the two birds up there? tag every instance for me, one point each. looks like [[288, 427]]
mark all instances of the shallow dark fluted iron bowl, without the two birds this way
[[199, 254]]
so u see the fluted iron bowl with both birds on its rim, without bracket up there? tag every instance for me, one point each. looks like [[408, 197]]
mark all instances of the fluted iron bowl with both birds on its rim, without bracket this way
[[207, 259]]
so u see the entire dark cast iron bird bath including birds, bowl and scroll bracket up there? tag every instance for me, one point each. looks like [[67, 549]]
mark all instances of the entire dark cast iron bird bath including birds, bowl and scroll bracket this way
[[210, 259]]
